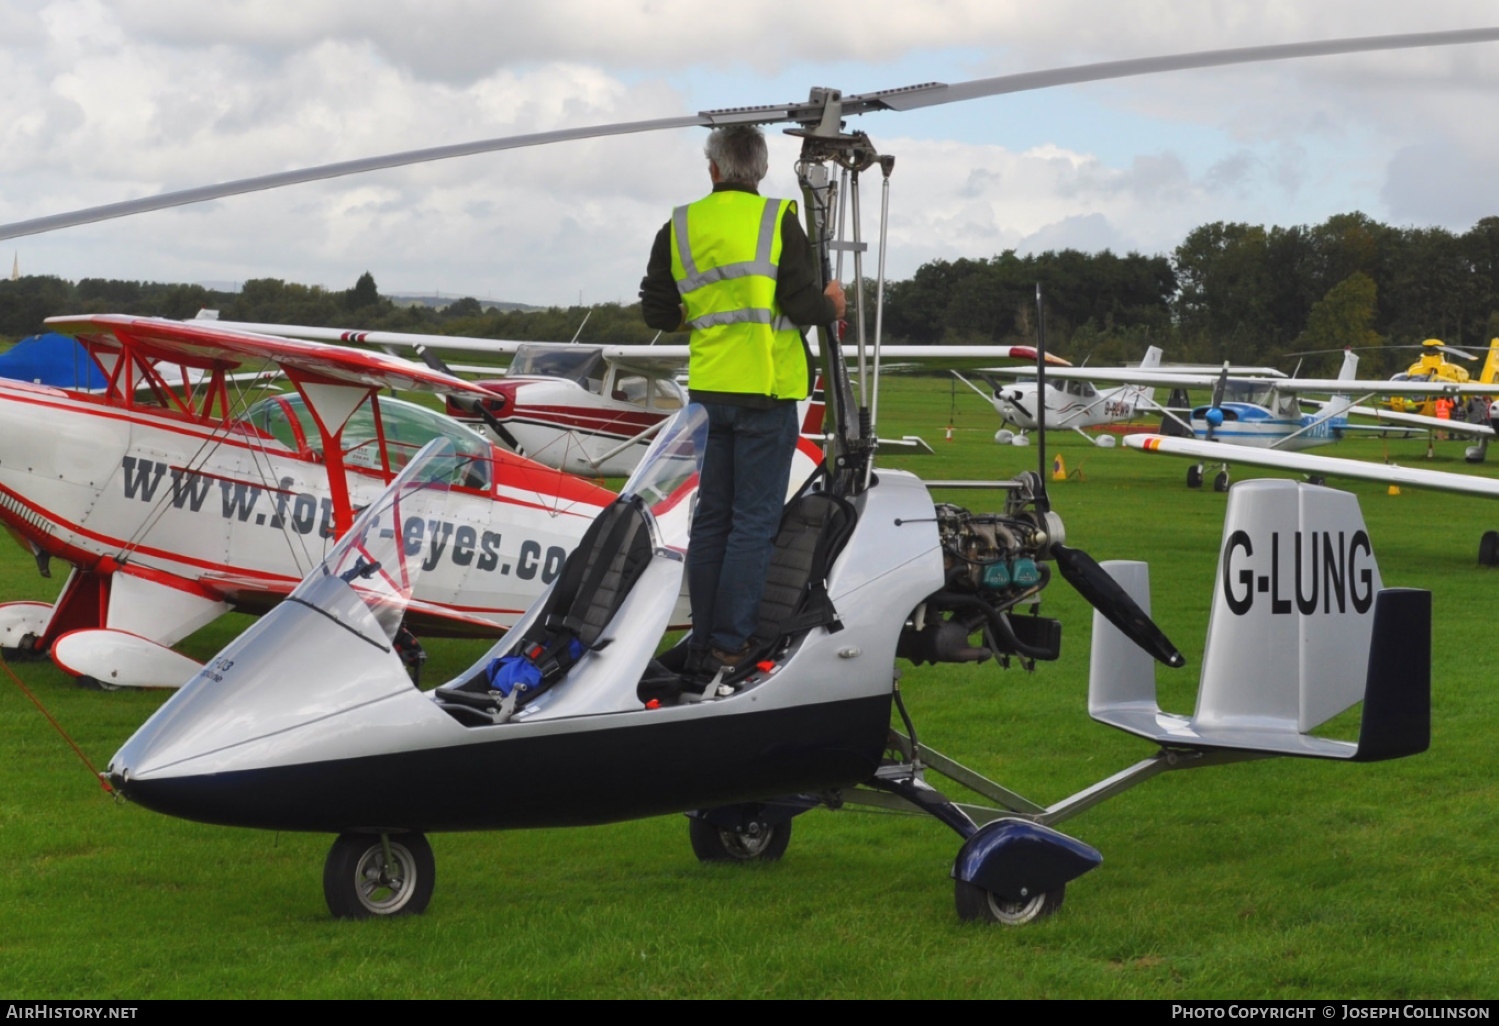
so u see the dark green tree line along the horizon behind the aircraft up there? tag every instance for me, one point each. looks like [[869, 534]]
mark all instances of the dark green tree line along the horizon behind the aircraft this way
[[1230, 292]]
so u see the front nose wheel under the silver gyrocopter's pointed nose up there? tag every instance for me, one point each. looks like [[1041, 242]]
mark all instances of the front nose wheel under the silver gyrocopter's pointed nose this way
[[359, 883]]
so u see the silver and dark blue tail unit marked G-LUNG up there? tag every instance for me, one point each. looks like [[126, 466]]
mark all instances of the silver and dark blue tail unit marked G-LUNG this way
[[1302, 629]]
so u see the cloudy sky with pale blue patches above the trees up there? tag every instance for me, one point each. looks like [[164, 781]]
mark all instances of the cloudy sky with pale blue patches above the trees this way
[[124, 100]]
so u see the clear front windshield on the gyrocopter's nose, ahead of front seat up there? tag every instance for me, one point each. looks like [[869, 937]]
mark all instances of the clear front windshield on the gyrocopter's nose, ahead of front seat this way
[[368, 578]]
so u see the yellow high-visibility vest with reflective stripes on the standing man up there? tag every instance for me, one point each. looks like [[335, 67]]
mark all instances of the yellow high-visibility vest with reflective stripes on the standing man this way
[[726, 251]]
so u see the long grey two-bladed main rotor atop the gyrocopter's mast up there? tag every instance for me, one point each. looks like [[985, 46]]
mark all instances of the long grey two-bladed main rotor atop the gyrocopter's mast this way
[[810, 112]]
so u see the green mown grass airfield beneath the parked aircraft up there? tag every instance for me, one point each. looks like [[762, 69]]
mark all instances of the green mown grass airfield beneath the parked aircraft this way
[[1275, 880]]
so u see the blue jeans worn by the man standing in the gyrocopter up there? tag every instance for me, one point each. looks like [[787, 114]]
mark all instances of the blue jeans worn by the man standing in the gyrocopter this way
[[740, 502]]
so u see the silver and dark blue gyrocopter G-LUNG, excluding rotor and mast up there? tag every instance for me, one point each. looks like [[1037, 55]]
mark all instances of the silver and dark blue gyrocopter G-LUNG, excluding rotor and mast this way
[[310, 722]]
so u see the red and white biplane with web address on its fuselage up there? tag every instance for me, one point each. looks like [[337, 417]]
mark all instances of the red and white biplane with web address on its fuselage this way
[[173, 503]]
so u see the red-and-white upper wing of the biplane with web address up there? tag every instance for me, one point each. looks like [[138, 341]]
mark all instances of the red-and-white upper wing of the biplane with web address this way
[[205, 344]]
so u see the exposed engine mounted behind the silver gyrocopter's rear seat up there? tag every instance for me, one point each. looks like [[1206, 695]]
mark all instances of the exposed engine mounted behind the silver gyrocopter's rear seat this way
[[993, 563]]
